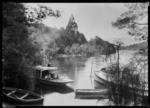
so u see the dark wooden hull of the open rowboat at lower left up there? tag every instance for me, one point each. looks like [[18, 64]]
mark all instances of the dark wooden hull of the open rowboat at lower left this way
[[11, 99]]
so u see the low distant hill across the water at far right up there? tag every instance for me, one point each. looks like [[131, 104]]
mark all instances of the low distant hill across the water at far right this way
[[138, 46]]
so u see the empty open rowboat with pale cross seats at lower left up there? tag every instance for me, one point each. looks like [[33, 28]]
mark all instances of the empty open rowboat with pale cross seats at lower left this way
[[21, 96]]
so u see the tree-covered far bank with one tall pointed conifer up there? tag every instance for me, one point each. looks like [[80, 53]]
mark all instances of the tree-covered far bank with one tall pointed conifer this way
[[68, 40]]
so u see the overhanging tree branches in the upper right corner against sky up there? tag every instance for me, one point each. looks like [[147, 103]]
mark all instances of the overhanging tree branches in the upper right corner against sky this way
[[135, 20]]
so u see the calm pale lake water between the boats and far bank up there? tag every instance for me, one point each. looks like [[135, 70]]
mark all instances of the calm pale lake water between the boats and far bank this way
[[78, 69]]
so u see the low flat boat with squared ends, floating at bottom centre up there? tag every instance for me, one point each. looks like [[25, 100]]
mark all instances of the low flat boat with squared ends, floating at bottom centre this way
[[91, 93]]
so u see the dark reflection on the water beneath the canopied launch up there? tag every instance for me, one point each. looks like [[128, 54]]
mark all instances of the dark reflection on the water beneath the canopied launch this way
[[45, 89]]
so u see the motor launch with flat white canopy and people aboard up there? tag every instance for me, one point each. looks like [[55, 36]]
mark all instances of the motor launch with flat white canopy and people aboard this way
[[43, 76]]
